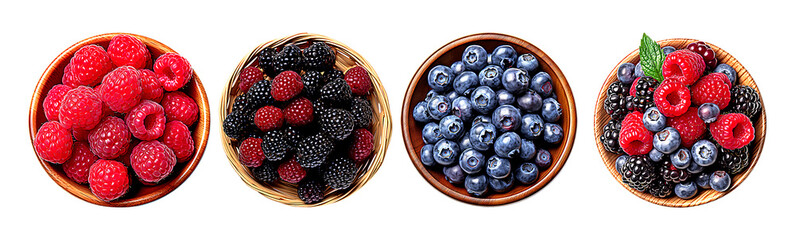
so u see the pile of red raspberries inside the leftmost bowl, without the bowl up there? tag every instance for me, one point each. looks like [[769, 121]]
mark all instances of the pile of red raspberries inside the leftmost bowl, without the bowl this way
[[110, 113]]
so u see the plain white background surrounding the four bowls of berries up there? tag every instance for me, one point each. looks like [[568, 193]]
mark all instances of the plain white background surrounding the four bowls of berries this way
[[586, 39]]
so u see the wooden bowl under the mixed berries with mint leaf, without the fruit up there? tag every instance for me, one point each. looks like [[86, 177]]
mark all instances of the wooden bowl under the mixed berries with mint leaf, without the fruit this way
[[704, 196]]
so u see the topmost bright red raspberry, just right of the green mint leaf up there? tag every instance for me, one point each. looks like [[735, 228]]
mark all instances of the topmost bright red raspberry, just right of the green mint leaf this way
[[683, 66]]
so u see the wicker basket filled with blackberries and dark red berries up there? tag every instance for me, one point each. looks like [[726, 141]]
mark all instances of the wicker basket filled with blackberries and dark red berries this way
[[305, 120]]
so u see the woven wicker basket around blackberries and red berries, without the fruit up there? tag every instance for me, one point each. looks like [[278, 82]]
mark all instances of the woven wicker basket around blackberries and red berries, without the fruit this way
[[381, 126]]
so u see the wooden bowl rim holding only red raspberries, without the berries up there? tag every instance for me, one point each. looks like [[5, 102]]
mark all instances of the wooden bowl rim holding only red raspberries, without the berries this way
[[138, 194]]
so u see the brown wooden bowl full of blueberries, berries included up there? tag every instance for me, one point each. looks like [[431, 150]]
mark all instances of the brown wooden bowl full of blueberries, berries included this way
[[488, 119]]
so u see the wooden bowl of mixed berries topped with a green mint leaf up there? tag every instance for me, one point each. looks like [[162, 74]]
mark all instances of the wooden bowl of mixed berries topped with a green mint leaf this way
[[679, 122]]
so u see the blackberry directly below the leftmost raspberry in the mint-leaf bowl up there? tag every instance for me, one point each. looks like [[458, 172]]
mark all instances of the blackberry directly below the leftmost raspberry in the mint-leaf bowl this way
[[638, 172]]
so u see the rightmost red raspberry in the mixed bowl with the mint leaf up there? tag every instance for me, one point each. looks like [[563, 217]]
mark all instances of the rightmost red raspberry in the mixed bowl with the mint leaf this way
[[733, 130]]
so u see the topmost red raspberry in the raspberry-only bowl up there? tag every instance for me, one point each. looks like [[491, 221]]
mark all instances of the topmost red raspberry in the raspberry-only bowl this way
[[126, 50]]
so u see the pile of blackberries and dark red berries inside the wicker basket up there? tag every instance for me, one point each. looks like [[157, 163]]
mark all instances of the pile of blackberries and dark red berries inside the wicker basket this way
[[301, 121]]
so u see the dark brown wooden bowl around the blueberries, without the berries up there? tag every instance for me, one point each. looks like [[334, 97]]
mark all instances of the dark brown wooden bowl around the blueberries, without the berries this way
[[451, 52]]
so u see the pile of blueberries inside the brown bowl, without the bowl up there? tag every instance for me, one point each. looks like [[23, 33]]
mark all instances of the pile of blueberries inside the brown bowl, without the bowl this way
[[487, 120]]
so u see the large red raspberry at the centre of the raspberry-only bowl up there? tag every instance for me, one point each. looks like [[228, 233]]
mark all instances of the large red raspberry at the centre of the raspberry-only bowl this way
[[121, 89]]
